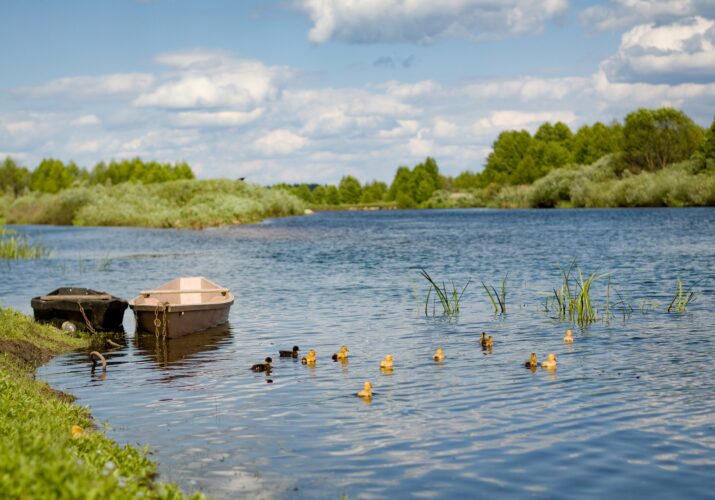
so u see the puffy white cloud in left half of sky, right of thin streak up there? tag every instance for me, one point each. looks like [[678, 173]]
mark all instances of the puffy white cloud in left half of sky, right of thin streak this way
[[212, 79]]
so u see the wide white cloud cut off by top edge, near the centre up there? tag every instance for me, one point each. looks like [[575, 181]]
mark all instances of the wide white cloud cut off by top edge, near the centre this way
[[423, 21]]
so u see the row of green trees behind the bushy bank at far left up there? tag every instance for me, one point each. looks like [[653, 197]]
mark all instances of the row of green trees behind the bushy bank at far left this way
[[52, 175]]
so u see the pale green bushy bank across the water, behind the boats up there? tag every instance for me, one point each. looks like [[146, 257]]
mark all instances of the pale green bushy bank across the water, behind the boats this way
[[178, 204]]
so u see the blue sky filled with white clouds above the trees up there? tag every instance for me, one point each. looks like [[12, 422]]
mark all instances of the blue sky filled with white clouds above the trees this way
[[312, 90]]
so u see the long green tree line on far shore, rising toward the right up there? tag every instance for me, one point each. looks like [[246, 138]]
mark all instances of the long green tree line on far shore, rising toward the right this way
[[647, 140]]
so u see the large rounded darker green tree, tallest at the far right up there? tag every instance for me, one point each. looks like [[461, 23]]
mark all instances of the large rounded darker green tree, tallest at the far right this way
[[653, 139]]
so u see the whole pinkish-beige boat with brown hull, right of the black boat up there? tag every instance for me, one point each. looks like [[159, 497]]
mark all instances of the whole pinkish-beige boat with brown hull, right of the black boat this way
[[182, 306]]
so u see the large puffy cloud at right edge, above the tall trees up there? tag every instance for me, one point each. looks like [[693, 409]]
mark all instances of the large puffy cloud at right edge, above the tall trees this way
[[682, 51]]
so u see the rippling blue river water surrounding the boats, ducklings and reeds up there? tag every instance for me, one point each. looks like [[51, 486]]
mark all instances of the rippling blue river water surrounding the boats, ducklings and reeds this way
[[629, 412]]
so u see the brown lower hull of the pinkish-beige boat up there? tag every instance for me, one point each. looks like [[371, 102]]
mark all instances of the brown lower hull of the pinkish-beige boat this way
[[180, 320]]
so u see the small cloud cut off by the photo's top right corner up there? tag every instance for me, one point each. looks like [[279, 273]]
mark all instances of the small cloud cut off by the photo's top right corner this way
[[617, 14]]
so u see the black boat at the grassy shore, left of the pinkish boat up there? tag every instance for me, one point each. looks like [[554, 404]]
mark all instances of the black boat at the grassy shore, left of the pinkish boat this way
[[86, 308]]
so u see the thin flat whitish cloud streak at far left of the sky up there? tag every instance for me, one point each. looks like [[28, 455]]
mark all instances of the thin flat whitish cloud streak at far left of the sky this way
[[92, 86]]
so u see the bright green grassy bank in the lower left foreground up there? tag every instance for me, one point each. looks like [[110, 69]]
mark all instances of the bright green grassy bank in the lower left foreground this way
[[49, 447]]
